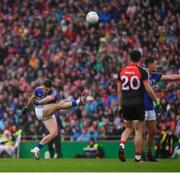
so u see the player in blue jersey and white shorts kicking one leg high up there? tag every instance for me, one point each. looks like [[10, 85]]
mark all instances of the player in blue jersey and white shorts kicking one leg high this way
[[45, 99]]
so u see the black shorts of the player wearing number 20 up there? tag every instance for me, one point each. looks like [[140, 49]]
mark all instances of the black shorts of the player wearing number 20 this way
[[133, 112]]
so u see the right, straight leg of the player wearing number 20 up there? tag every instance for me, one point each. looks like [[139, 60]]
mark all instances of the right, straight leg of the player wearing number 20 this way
[[139, 129]]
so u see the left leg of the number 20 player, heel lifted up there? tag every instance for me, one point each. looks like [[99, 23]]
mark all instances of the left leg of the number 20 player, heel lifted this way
[[125, 135]]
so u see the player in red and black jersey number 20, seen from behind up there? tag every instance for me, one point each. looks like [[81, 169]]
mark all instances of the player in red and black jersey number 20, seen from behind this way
[[133, 81]]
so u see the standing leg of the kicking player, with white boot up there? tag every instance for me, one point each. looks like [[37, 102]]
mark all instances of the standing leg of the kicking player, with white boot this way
[[51, 126]]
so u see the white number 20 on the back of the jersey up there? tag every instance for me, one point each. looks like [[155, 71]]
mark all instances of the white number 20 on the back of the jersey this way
[[133, 82]]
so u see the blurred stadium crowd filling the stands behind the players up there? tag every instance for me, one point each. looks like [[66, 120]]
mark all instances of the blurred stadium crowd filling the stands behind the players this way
[[42, 39]]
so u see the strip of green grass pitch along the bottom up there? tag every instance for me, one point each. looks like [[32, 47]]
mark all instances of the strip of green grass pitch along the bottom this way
[[86, 165]]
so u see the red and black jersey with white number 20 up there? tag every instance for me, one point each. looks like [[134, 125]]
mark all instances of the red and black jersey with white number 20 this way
[[131, 78]]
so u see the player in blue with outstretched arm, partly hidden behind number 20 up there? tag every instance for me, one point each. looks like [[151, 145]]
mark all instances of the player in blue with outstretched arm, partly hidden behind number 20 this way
[[150, 114]]
